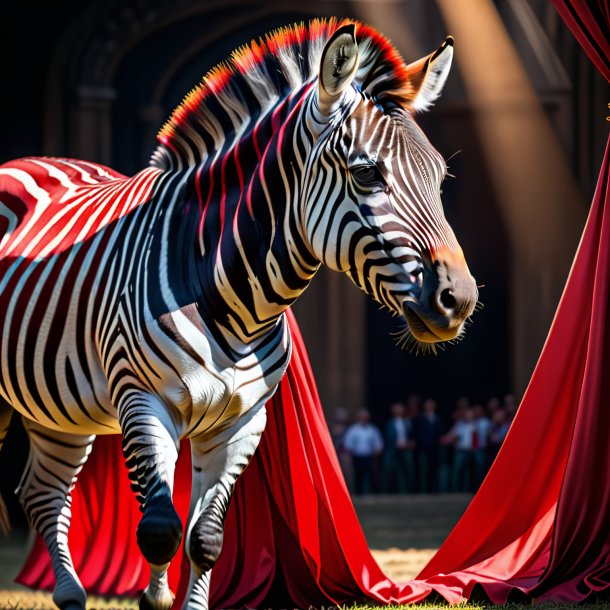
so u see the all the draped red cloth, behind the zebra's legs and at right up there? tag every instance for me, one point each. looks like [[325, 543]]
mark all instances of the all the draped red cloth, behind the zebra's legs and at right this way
[[539, 524]]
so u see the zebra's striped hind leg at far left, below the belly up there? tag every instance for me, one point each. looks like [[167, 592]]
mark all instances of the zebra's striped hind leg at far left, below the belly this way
[[45, 490]]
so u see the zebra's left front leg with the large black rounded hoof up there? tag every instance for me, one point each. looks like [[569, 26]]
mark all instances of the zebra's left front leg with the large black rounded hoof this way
[[150, 446]]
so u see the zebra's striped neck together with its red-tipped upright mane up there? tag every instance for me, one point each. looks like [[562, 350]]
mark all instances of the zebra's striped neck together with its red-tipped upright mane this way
[[241, 142]]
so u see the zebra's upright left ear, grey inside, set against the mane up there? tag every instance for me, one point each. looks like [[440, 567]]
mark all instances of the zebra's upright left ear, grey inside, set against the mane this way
[[338, 66]]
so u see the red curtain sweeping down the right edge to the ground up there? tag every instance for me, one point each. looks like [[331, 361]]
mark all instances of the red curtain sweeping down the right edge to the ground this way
[[540, 521]]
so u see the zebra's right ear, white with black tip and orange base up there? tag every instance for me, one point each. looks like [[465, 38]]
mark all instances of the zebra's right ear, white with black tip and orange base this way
[[427, 76]]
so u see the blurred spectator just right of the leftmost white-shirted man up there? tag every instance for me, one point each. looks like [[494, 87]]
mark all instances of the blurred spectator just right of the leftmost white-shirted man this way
[[398, 461]]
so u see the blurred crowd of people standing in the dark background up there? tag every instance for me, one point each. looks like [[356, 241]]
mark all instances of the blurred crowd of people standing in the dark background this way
[[418, 450]]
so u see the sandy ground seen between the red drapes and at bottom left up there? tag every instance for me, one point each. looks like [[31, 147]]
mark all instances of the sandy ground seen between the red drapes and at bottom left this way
[[403, 533]]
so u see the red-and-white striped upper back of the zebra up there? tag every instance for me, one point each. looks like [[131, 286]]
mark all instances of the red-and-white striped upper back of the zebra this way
[[47, 205]]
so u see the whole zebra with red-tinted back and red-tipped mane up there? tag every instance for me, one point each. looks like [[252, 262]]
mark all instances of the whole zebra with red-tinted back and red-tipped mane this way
[[154, 306]]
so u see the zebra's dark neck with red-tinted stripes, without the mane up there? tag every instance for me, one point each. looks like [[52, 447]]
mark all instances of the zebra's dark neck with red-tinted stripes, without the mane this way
[[238, 217]]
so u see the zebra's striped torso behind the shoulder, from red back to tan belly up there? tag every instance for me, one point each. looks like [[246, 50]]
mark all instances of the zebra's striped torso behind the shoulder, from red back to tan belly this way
[[58, 218]]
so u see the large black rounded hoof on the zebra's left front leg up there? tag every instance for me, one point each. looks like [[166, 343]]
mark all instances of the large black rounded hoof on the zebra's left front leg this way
[[160, 531]]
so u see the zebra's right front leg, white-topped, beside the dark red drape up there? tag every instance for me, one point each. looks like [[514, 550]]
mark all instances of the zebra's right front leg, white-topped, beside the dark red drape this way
[[217, 464]]
